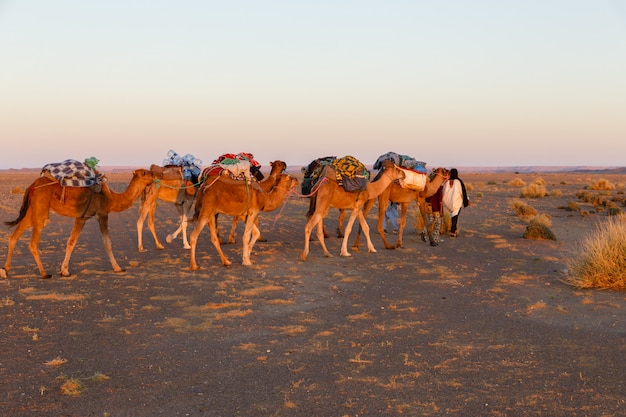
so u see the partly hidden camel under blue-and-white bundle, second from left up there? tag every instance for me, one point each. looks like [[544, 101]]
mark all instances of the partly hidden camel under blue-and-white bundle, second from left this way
[[172, 188]]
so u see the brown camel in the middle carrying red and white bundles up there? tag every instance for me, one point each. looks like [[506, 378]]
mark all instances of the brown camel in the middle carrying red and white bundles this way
[[235, 198]]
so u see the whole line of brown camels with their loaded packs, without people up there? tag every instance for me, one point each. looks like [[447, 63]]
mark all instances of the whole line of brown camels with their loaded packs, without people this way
[[233, 185]]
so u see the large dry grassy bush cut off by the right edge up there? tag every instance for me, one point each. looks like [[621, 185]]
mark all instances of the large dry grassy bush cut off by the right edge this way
[[600, 260]]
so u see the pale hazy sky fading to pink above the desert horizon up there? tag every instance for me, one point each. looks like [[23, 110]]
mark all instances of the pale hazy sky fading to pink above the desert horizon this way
[[449, 82]]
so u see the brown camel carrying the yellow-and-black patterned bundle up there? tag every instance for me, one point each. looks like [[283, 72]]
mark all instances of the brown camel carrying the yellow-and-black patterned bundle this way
[[329, 193]]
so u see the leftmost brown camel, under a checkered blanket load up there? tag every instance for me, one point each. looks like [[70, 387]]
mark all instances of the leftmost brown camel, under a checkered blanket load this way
[[81, 203]]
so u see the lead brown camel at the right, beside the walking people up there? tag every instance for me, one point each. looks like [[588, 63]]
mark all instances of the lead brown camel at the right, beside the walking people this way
[[403, 196]]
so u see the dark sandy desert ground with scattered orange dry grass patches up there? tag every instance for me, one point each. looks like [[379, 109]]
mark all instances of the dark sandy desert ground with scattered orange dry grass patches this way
[[481, 325]]
